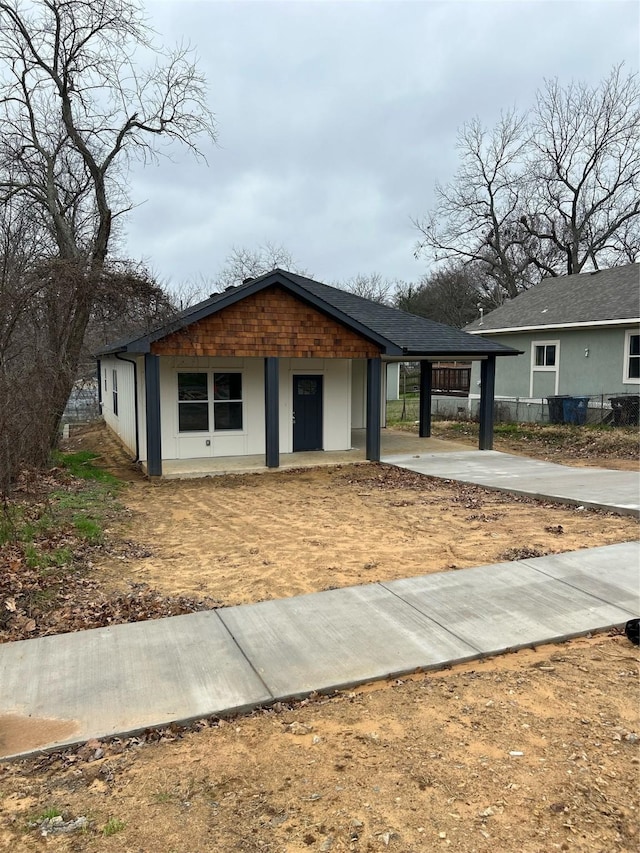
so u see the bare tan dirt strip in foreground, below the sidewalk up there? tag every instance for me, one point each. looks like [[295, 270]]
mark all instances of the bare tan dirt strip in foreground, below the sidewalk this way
[[531, 752]]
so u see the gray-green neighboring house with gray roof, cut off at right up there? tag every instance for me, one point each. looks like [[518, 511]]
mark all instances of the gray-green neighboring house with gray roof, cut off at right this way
[[580, 337]]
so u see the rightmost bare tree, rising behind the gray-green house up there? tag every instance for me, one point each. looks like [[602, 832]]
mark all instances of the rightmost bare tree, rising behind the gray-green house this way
[[584, 168]]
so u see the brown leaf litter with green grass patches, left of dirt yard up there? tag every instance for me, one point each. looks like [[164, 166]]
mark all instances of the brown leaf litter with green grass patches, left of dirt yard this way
[[46, 582]]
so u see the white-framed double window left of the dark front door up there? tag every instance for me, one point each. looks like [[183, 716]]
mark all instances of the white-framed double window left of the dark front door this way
[[197, 405]]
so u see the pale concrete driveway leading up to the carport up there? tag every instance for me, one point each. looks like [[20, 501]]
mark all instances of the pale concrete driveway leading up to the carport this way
[[600, 488]]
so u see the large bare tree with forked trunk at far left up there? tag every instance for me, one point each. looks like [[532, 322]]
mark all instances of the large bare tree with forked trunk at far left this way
[[75, 109]]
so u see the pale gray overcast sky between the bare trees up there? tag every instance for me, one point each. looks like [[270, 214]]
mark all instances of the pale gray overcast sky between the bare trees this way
[[335, 119]]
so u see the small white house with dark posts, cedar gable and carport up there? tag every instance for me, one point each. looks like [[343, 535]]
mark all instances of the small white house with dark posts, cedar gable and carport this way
[[279, 364]]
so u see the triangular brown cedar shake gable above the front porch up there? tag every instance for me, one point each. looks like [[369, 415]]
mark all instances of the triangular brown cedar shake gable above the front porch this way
[[268, 323]]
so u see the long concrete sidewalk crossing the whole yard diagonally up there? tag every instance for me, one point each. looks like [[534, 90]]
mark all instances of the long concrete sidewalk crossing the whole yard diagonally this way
[[123, 679]]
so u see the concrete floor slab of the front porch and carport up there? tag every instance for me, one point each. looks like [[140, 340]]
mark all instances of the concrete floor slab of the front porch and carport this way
[[392, 442]]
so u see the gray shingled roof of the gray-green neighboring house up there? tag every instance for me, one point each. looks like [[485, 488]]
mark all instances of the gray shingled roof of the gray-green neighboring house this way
[[585, 298]]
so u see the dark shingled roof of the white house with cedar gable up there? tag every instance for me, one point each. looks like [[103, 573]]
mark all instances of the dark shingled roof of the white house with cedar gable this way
[[398, 333]]
